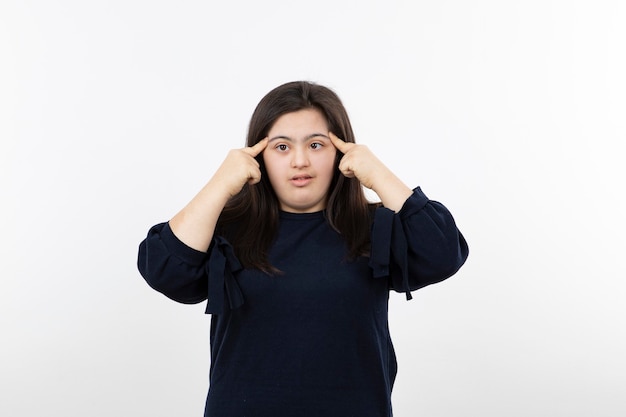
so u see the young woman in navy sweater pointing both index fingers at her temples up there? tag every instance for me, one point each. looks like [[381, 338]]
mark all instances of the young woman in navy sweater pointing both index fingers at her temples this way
[[297, 265]]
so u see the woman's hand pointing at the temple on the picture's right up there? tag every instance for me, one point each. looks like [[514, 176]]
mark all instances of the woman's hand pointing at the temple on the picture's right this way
[[358, 161]]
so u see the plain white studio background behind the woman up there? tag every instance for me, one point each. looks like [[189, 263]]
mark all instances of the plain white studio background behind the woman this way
[[114, 113]]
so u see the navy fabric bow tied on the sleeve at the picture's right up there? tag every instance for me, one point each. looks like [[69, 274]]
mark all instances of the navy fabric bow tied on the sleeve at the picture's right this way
[[387, 231]]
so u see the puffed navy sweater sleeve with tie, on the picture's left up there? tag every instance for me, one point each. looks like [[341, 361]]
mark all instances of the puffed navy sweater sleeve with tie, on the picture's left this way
[[187, 275]]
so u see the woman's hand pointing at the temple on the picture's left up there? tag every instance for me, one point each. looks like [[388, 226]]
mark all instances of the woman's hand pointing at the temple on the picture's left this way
[[240, 167]]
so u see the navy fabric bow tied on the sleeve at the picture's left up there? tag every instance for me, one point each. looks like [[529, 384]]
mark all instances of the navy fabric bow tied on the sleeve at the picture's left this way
[[222, 283]]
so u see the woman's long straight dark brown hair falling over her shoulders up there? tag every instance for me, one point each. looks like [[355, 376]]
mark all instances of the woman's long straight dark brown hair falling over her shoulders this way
[[250, 218]]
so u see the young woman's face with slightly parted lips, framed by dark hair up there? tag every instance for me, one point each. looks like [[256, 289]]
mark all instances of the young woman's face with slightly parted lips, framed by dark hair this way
[[299, 160]]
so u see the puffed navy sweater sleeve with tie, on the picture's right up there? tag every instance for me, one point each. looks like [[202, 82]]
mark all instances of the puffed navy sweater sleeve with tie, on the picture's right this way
[[418, 246]]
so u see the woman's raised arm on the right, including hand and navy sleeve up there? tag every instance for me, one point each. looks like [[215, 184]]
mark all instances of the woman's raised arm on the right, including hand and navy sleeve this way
[[415, 241]]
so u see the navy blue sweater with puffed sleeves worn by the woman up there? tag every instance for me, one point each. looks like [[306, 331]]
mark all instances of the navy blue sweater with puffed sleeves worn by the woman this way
[[314, 340]]
